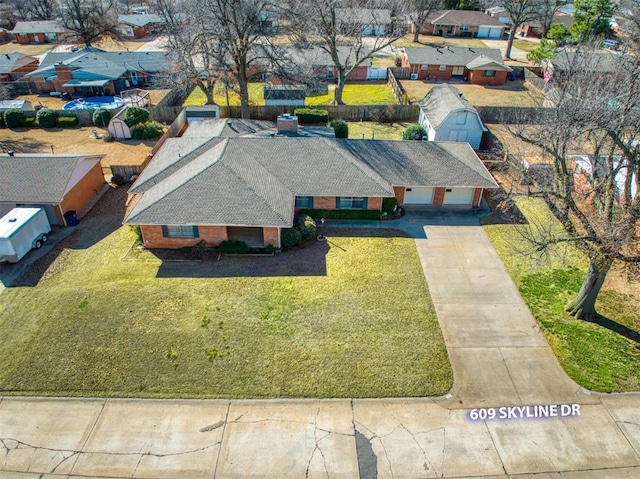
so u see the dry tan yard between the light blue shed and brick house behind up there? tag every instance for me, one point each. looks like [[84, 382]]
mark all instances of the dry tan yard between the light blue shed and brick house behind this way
[[512, 93]]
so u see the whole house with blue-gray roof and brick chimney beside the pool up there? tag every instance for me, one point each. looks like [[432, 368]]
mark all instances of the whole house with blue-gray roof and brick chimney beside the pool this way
[[92, 71]]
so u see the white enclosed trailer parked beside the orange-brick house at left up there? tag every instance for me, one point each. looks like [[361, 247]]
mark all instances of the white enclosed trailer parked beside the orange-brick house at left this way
[[21, 230]]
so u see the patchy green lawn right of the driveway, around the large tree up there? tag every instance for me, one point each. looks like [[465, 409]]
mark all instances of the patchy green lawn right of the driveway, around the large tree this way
[[592, 355]]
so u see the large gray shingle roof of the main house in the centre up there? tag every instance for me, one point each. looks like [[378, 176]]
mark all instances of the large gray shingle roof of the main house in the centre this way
[[246, 181]]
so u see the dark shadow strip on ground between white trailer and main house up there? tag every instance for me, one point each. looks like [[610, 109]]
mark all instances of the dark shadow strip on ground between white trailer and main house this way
[[104, 218]]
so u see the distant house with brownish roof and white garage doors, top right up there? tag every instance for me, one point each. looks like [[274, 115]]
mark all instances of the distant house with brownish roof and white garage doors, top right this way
[[461, 23]]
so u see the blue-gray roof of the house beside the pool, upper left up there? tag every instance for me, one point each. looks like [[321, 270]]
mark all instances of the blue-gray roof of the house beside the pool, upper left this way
[[98, 63]]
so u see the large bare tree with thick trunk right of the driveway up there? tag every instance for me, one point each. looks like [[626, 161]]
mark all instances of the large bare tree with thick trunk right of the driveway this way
[[595, 198]]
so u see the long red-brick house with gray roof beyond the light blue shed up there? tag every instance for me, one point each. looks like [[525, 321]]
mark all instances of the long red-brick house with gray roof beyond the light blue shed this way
[[483, 66]]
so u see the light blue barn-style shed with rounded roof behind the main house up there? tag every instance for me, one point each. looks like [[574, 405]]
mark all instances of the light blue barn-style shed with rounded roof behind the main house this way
[[447, 116]]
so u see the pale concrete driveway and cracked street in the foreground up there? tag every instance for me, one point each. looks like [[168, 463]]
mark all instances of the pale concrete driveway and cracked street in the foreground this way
[[499, 359]]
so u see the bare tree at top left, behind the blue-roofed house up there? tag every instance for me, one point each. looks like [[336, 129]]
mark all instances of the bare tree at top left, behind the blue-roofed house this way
[[89, 20]]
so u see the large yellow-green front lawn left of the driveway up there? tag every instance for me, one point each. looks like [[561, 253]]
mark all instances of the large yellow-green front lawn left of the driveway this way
[[350, 317]]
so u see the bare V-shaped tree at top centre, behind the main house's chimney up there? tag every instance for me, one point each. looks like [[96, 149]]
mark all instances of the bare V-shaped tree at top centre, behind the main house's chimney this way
[[350, 36]]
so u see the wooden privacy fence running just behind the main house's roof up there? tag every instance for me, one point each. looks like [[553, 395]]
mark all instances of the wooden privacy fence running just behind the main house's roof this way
[[399, 113]]
